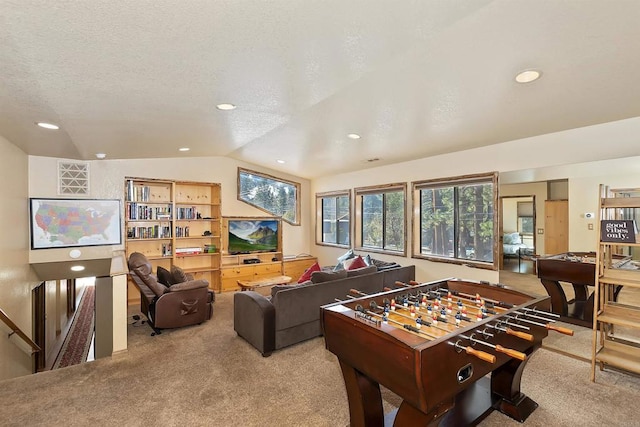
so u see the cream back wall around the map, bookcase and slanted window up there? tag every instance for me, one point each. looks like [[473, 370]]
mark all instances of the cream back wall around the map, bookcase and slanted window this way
[[107, 182]]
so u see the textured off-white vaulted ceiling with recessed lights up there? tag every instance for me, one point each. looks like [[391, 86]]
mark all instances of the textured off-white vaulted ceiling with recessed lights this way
[[140, 79]]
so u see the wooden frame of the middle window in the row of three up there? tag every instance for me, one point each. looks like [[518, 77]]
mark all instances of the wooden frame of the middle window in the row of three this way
[[377, 189]]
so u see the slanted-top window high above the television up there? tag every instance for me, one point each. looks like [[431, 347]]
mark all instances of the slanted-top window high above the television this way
[[273, 195]]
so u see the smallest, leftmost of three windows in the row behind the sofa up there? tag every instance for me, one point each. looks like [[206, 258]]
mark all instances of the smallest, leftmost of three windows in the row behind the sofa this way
[[333, 213]]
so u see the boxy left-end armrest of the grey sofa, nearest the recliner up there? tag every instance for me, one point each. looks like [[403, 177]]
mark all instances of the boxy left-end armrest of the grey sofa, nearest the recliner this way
[[254, 319]]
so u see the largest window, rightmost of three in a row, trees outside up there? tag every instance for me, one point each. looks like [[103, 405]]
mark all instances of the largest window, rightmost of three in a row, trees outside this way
[[455, 219]]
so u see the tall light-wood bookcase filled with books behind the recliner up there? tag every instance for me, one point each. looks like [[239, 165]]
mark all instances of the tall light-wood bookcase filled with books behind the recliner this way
[[174, 223]]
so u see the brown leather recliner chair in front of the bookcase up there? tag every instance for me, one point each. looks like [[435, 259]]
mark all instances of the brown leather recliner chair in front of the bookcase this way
[[186, 303]]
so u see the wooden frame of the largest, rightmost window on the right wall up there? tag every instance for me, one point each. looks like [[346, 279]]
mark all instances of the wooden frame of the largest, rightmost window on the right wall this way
[[452, 182]]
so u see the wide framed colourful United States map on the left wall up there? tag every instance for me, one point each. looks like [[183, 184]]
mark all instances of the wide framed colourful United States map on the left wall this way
[[62, 223]]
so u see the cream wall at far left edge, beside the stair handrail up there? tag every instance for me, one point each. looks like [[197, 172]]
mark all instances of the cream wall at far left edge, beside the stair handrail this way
[[16, 277]]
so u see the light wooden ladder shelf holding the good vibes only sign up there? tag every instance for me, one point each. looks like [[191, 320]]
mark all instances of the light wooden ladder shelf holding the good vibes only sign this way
[[616, 326]]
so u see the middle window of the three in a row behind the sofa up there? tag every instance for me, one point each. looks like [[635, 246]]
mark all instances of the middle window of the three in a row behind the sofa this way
[[380, 218]]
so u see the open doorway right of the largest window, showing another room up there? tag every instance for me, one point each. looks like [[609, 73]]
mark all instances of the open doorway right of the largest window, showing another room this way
[[517, 233]]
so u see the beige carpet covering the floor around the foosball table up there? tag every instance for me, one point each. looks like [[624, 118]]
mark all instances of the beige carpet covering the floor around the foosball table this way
[[206, 375]]
